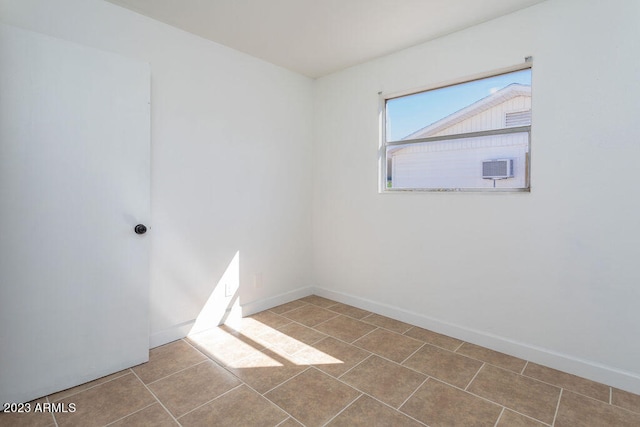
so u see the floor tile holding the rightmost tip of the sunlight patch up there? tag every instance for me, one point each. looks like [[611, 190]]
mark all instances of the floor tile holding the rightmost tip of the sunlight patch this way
[[332, 356]]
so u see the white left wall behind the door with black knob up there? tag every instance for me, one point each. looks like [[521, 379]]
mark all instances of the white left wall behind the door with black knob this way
[[230, 154]]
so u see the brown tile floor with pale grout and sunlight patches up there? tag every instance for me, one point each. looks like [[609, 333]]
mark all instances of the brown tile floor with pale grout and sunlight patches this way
[[316, 362]]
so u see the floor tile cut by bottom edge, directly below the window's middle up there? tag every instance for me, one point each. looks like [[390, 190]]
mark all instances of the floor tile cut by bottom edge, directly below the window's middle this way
[[438, 404]]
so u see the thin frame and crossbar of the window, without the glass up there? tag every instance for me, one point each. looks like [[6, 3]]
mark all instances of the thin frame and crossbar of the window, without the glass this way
[[384, 144]]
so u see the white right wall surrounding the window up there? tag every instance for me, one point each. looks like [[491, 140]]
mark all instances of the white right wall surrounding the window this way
[[550, 275]]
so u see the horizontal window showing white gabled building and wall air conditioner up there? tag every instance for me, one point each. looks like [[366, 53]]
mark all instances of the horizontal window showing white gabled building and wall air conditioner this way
[[471, 136]]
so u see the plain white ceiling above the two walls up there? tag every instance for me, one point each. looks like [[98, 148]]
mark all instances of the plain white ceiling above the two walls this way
[[318, 37]]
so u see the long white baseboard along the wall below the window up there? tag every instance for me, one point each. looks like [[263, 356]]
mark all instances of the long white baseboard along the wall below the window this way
[[623, 380]]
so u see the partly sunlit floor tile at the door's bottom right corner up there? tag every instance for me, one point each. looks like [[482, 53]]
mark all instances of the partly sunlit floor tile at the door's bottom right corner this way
[[168, 359]]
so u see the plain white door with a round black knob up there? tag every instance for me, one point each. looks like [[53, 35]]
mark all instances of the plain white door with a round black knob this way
[[74, 182]]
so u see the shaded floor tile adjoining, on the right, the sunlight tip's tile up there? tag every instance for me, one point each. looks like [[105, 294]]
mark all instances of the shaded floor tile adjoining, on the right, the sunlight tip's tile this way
[[384, 380]]
